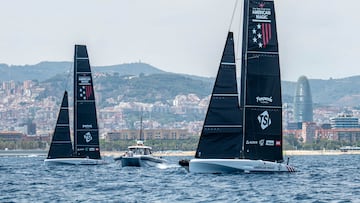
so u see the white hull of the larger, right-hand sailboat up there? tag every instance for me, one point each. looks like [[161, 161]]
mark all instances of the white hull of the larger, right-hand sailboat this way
[[236, 165]]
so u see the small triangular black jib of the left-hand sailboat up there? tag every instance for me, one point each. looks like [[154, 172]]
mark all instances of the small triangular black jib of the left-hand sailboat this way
[[61, 146]]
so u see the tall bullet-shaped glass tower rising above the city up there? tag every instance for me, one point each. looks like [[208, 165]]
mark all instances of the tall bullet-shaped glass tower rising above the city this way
[[303, 110]]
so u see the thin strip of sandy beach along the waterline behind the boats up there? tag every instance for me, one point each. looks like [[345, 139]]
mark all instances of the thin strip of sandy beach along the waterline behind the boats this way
[[179, 153]]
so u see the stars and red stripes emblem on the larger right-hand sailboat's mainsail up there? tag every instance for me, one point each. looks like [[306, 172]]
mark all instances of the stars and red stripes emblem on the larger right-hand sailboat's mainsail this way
[[261, 34]]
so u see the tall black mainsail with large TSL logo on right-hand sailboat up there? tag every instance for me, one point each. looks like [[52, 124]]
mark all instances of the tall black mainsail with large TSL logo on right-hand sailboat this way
[[260, 83]]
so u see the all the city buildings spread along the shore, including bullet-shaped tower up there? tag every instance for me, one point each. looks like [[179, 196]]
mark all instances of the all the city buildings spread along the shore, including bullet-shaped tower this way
[[25, 117]]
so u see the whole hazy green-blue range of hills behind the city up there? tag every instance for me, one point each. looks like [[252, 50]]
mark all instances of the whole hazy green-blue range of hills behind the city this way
[[144, 83]]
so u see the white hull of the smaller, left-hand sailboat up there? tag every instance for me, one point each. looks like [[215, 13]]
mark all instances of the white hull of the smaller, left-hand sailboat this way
[[74, 161]]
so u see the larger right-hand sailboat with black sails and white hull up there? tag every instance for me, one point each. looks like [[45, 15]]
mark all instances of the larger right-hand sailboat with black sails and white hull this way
[[246, 136]]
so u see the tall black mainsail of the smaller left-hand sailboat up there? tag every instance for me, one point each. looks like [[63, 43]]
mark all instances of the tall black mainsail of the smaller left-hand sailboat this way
[[86, 131]]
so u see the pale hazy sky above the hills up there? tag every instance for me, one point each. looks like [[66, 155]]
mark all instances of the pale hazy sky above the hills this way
[[317, 38]]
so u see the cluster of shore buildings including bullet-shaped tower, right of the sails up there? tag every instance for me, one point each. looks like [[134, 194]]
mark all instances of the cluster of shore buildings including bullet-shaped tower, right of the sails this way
[[344, 127]]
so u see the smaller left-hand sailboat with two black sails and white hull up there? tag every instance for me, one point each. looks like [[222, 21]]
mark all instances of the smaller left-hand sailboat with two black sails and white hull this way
[[86, 149]]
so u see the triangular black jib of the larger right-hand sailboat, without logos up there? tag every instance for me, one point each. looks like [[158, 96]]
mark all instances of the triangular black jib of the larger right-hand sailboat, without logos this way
[[221, 136]]
